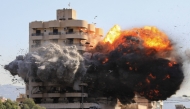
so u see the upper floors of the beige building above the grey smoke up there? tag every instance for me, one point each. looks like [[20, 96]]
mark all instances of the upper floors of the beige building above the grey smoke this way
[[65, 30]]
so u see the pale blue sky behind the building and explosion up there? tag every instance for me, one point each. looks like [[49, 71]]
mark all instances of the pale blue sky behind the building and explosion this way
[[171, 17]]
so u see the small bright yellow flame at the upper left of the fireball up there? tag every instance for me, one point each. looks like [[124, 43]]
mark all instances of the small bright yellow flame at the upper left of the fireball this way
[[113, 34]]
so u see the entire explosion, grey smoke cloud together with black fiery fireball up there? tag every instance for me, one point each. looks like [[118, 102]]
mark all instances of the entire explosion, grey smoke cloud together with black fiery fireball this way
[[124, 63]]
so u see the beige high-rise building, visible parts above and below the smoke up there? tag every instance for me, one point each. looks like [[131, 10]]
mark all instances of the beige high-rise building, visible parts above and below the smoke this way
[[65, 30]]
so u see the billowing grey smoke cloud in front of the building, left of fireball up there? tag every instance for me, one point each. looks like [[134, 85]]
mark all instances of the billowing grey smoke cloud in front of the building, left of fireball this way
[[50, 63]]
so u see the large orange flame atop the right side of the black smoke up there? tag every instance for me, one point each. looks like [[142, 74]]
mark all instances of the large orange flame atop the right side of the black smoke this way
[[151, 36]]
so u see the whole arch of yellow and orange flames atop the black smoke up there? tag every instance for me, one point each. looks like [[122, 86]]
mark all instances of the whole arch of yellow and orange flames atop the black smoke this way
[[150, 36]]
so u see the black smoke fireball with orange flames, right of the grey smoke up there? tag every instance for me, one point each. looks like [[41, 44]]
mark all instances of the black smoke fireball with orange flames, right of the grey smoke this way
[[135, 61]]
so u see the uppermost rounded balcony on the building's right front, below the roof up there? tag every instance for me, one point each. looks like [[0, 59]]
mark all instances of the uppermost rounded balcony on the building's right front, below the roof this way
[[76, 35]]
